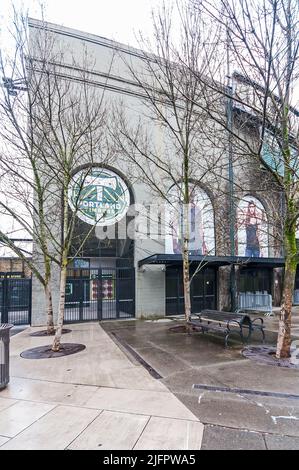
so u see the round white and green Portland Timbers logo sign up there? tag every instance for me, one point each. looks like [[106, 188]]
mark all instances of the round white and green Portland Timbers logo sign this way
[[99, 196]]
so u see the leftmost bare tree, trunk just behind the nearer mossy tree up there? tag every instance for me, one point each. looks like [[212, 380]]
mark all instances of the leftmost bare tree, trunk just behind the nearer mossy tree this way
[[23, 188]]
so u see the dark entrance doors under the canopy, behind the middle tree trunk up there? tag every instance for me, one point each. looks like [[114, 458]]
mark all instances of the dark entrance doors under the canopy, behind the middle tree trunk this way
[[202, 290]]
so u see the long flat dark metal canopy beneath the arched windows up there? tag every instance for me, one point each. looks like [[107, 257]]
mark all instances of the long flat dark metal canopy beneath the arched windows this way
[[176, 260]]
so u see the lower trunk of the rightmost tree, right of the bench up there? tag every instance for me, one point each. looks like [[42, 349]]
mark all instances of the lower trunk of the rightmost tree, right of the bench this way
[[285, 321]]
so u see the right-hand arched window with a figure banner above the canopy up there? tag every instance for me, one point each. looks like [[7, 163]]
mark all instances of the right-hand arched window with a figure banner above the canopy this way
[[252, 237]]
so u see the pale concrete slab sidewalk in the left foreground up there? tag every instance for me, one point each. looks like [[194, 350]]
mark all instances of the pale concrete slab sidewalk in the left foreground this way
[[95, 399]]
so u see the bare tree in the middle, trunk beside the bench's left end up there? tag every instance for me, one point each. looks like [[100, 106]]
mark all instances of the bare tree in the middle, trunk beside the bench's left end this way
[[169, 145]]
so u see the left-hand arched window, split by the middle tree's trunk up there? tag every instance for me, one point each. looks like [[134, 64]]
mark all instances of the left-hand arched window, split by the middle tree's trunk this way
[[201, 222]]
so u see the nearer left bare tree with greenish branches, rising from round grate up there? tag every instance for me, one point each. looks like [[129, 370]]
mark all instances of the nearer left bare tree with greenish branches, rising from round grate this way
[[54, 128]]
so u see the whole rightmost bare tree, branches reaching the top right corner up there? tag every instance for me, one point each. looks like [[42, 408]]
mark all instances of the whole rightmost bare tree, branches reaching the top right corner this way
[[262, 40]]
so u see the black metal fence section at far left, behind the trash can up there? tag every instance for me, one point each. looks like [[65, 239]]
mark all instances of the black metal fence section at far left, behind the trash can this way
[[15, 301]]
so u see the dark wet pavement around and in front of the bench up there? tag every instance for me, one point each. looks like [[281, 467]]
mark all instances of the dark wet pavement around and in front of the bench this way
[[232, 420]]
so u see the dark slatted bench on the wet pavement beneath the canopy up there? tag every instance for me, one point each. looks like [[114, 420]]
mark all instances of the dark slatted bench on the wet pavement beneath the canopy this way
[[227, 323]]
